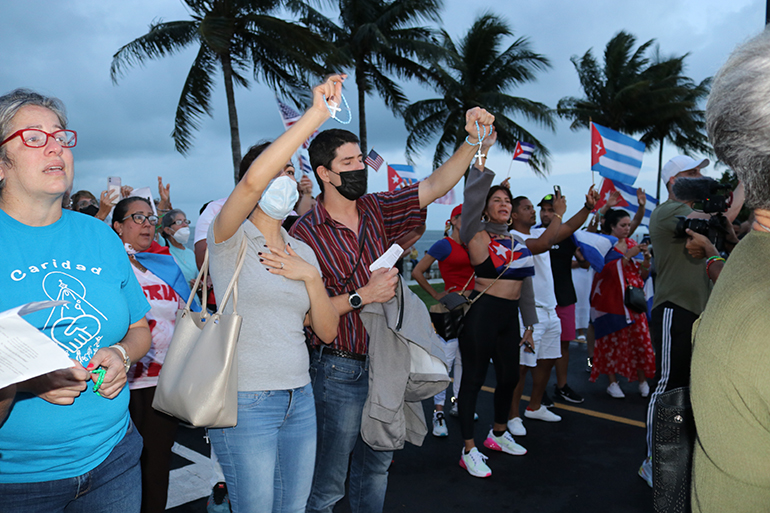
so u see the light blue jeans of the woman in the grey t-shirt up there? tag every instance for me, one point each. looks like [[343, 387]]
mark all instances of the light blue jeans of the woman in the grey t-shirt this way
[[268, 457]]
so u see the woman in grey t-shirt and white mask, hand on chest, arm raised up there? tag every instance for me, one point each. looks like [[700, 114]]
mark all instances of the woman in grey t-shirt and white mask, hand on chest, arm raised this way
[[268, 458]]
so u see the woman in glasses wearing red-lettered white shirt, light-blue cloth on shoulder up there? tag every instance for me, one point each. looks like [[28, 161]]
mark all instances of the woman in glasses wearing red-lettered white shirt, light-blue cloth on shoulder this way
[[166, 289]]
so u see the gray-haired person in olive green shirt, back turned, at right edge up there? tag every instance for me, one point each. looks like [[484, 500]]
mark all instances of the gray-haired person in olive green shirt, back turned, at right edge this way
[[730, 382]]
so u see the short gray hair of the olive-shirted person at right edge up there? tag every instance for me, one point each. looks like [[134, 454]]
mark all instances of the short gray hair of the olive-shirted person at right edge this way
[[738, 117]]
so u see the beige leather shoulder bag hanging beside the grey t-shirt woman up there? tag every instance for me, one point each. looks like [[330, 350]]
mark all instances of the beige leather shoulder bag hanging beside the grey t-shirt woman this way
[[199, 379]]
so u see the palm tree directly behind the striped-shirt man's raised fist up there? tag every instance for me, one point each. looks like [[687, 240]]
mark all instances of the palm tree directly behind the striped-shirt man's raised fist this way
[[478, 72]]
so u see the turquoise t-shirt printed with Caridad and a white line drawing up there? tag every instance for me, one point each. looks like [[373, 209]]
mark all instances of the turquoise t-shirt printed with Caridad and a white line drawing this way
[[81, 260]]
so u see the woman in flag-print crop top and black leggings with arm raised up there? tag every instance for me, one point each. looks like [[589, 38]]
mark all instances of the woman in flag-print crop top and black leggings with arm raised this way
[[491, 326]]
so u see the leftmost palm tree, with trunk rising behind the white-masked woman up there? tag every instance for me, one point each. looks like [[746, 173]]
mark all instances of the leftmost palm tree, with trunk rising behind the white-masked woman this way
[[236, 36]]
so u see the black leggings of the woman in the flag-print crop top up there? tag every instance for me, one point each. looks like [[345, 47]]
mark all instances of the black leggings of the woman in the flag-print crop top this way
[[491, 330]]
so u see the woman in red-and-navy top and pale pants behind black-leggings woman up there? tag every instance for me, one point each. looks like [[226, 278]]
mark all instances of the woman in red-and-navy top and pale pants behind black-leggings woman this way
[[457, 273]]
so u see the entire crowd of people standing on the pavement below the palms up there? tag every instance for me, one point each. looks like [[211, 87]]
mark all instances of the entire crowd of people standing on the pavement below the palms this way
[[305, 376]]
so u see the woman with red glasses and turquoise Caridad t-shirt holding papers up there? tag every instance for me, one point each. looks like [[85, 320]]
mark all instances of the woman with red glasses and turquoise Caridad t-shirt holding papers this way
[[68, 440]]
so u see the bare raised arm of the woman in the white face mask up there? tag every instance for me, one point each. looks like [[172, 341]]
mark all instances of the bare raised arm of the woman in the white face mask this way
[[246, 194]]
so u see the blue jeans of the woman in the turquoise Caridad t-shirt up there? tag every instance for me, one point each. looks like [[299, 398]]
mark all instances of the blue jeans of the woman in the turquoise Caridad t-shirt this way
[[114, 486]]
